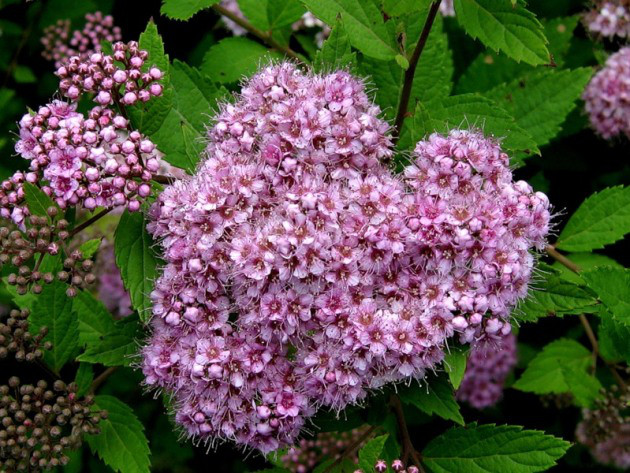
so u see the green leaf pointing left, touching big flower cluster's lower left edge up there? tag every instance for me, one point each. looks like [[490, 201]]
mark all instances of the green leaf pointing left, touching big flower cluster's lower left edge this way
[[116, 347]]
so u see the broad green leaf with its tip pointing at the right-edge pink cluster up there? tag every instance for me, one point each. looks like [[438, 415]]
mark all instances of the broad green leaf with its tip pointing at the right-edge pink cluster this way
[[541, 102]]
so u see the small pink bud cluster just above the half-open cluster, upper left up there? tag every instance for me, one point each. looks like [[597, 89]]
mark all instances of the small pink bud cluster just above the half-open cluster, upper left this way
[[107, 80]]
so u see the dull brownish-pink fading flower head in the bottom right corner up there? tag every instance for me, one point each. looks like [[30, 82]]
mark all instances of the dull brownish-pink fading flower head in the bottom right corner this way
[[605, 429]]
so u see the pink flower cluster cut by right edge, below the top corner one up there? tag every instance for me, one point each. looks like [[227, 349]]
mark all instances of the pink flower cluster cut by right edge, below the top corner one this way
[[607, 96]]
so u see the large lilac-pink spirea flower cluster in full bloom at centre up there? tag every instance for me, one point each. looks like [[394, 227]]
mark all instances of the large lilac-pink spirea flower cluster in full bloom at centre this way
[[302, 273]]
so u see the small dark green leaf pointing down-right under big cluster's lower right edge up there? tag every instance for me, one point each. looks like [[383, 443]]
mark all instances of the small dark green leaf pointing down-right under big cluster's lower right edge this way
[[437, 397]]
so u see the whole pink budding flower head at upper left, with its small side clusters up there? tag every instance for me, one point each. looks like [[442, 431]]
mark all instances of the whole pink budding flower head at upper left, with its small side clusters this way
[[97, 160]]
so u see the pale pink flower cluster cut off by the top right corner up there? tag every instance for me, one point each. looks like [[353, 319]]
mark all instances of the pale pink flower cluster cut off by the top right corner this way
[[609, 18]]
